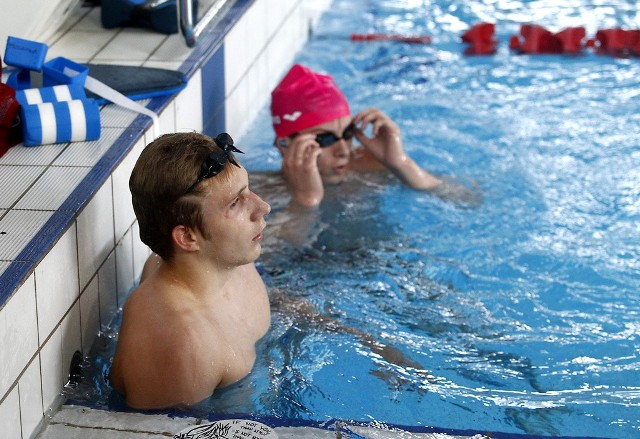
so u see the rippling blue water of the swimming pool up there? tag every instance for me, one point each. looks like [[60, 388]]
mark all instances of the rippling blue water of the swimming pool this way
[[520, 315]]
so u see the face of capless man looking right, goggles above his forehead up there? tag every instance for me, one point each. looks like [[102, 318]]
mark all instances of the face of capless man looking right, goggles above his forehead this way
[[234, 220]]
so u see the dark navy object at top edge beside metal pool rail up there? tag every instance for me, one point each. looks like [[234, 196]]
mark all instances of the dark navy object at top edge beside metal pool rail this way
[[159, 15]]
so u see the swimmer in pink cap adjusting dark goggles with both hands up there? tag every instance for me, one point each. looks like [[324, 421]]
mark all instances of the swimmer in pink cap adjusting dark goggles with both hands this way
[[314, 131]]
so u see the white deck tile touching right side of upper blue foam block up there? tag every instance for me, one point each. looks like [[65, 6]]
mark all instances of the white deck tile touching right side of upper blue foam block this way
[[80, 46]]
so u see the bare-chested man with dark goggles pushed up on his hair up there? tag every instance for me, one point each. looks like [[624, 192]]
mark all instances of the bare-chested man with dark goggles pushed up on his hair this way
[[192, 323]]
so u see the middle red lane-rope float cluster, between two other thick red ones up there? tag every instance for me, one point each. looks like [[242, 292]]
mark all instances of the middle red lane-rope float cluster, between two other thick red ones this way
[[539, 40]]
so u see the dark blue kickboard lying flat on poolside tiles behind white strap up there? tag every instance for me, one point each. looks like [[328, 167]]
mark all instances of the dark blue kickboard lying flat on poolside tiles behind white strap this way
[[137, 82]]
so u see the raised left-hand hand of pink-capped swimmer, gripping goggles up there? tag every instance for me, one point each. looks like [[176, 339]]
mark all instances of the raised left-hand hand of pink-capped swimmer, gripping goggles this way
[[300, 169]]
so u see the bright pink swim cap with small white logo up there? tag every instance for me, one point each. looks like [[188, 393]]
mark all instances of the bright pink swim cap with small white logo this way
[[304, 99]]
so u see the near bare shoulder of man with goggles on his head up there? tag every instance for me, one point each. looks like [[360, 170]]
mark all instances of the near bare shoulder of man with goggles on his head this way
[[163, 350]]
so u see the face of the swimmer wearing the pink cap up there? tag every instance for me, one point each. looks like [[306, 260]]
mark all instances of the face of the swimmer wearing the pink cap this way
[[333, 161]]
